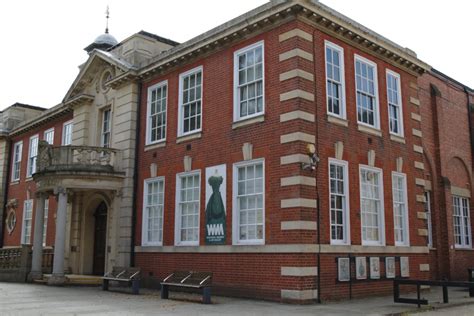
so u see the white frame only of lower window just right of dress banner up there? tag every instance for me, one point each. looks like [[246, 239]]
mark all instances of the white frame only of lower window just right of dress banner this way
[[236, 216]]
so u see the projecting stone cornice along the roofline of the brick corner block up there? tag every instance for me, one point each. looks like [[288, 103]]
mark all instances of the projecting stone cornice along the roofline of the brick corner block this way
[[274, 13]]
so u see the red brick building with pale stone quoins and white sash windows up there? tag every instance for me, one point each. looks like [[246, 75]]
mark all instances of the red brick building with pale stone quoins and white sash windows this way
[[293, 152]]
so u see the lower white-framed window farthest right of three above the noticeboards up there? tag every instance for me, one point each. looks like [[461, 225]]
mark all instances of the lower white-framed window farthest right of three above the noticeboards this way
[[400, 209]]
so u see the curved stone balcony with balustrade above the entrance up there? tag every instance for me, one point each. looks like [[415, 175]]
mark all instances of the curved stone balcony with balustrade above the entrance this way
[[83, 167]]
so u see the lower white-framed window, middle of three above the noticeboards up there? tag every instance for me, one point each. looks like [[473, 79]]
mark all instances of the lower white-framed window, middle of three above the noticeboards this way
[[371, 206]]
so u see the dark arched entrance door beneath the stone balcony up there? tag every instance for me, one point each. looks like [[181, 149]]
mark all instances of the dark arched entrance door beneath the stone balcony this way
[[100, 233]]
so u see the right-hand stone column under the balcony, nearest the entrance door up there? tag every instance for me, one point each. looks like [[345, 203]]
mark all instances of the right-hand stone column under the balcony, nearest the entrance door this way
[[58, 277]]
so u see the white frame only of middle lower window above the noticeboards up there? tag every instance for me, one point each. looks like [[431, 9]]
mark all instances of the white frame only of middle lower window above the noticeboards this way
[[381, 217]]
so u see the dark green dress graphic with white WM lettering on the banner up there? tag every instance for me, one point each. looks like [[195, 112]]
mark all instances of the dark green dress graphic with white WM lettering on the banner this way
[[215, 213]]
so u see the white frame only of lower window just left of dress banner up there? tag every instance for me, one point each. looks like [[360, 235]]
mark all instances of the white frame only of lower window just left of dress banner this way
[[177, 230]]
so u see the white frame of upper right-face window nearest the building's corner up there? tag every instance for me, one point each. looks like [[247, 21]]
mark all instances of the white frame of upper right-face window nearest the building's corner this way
[[342, 105]]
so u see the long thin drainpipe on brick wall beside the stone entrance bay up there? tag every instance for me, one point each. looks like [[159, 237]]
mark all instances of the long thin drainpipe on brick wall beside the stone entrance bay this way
[[135, 177]]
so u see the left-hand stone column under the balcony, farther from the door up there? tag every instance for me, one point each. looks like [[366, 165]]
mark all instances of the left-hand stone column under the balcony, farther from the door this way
[[36, 264]]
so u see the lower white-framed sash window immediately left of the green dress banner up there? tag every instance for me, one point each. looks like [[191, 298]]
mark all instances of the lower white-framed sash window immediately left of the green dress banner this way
[[188, 187]]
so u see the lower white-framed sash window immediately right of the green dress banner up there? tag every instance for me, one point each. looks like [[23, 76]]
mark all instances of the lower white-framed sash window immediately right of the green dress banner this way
[[249, 202]]
